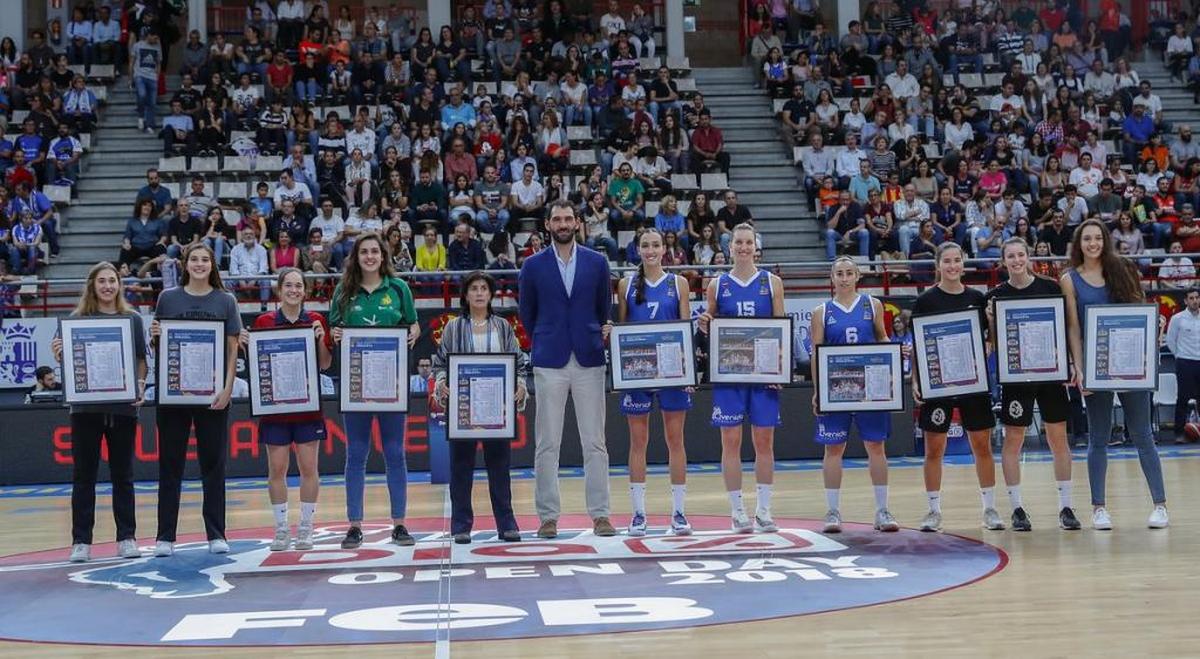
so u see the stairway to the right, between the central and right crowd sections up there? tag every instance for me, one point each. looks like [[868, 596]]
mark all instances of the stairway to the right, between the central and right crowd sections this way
[[761, 165]]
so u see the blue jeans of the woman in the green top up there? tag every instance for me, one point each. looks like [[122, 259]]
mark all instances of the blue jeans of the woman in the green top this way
[[358, 447]]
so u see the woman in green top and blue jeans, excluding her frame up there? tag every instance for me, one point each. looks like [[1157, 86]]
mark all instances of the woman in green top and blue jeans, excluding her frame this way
[[370, 295]]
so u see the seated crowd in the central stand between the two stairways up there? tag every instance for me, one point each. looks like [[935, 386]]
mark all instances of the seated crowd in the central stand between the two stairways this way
[[292, 140]]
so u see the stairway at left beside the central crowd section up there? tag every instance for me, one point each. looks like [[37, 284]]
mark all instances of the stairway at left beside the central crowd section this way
[[113, 173]]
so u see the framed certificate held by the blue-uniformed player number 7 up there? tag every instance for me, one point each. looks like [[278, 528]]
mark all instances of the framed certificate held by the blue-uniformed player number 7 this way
[[652, 356]]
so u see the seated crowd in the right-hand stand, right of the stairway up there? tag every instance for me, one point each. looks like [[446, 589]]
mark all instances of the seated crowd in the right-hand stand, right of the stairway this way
[[965, 123]]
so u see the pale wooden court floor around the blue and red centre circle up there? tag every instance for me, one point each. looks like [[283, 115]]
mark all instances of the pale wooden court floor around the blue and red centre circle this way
[[1129, 592]]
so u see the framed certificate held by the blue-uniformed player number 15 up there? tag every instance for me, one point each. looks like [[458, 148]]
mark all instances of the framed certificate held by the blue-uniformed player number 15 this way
[[751, 351]]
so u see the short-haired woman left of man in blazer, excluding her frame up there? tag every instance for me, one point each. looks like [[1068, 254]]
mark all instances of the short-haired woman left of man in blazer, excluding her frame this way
[[479, 331]]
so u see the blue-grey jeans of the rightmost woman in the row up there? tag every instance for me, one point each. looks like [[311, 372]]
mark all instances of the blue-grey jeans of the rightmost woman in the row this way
[[1137, 406]]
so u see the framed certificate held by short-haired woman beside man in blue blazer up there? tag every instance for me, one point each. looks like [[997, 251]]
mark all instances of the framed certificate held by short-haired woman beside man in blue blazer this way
[[483, 397]]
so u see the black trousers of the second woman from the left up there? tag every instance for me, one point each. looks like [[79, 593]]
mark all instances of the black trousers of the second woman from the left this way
[[212, 436]]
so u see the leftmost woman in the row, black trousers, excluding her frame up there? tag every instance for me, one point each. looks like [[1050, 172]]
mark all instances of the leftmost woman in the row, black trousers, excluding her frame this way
[[116, 424]]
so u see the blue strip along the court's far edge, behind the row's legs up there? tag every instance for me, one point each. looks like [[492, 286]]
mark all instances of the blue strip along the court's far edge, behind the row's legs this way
[[1030, 457]]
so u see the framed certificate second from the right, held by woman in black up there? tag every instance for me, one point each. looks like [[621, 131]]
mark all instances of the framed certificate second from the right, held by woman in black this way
[[1031, 340]]
